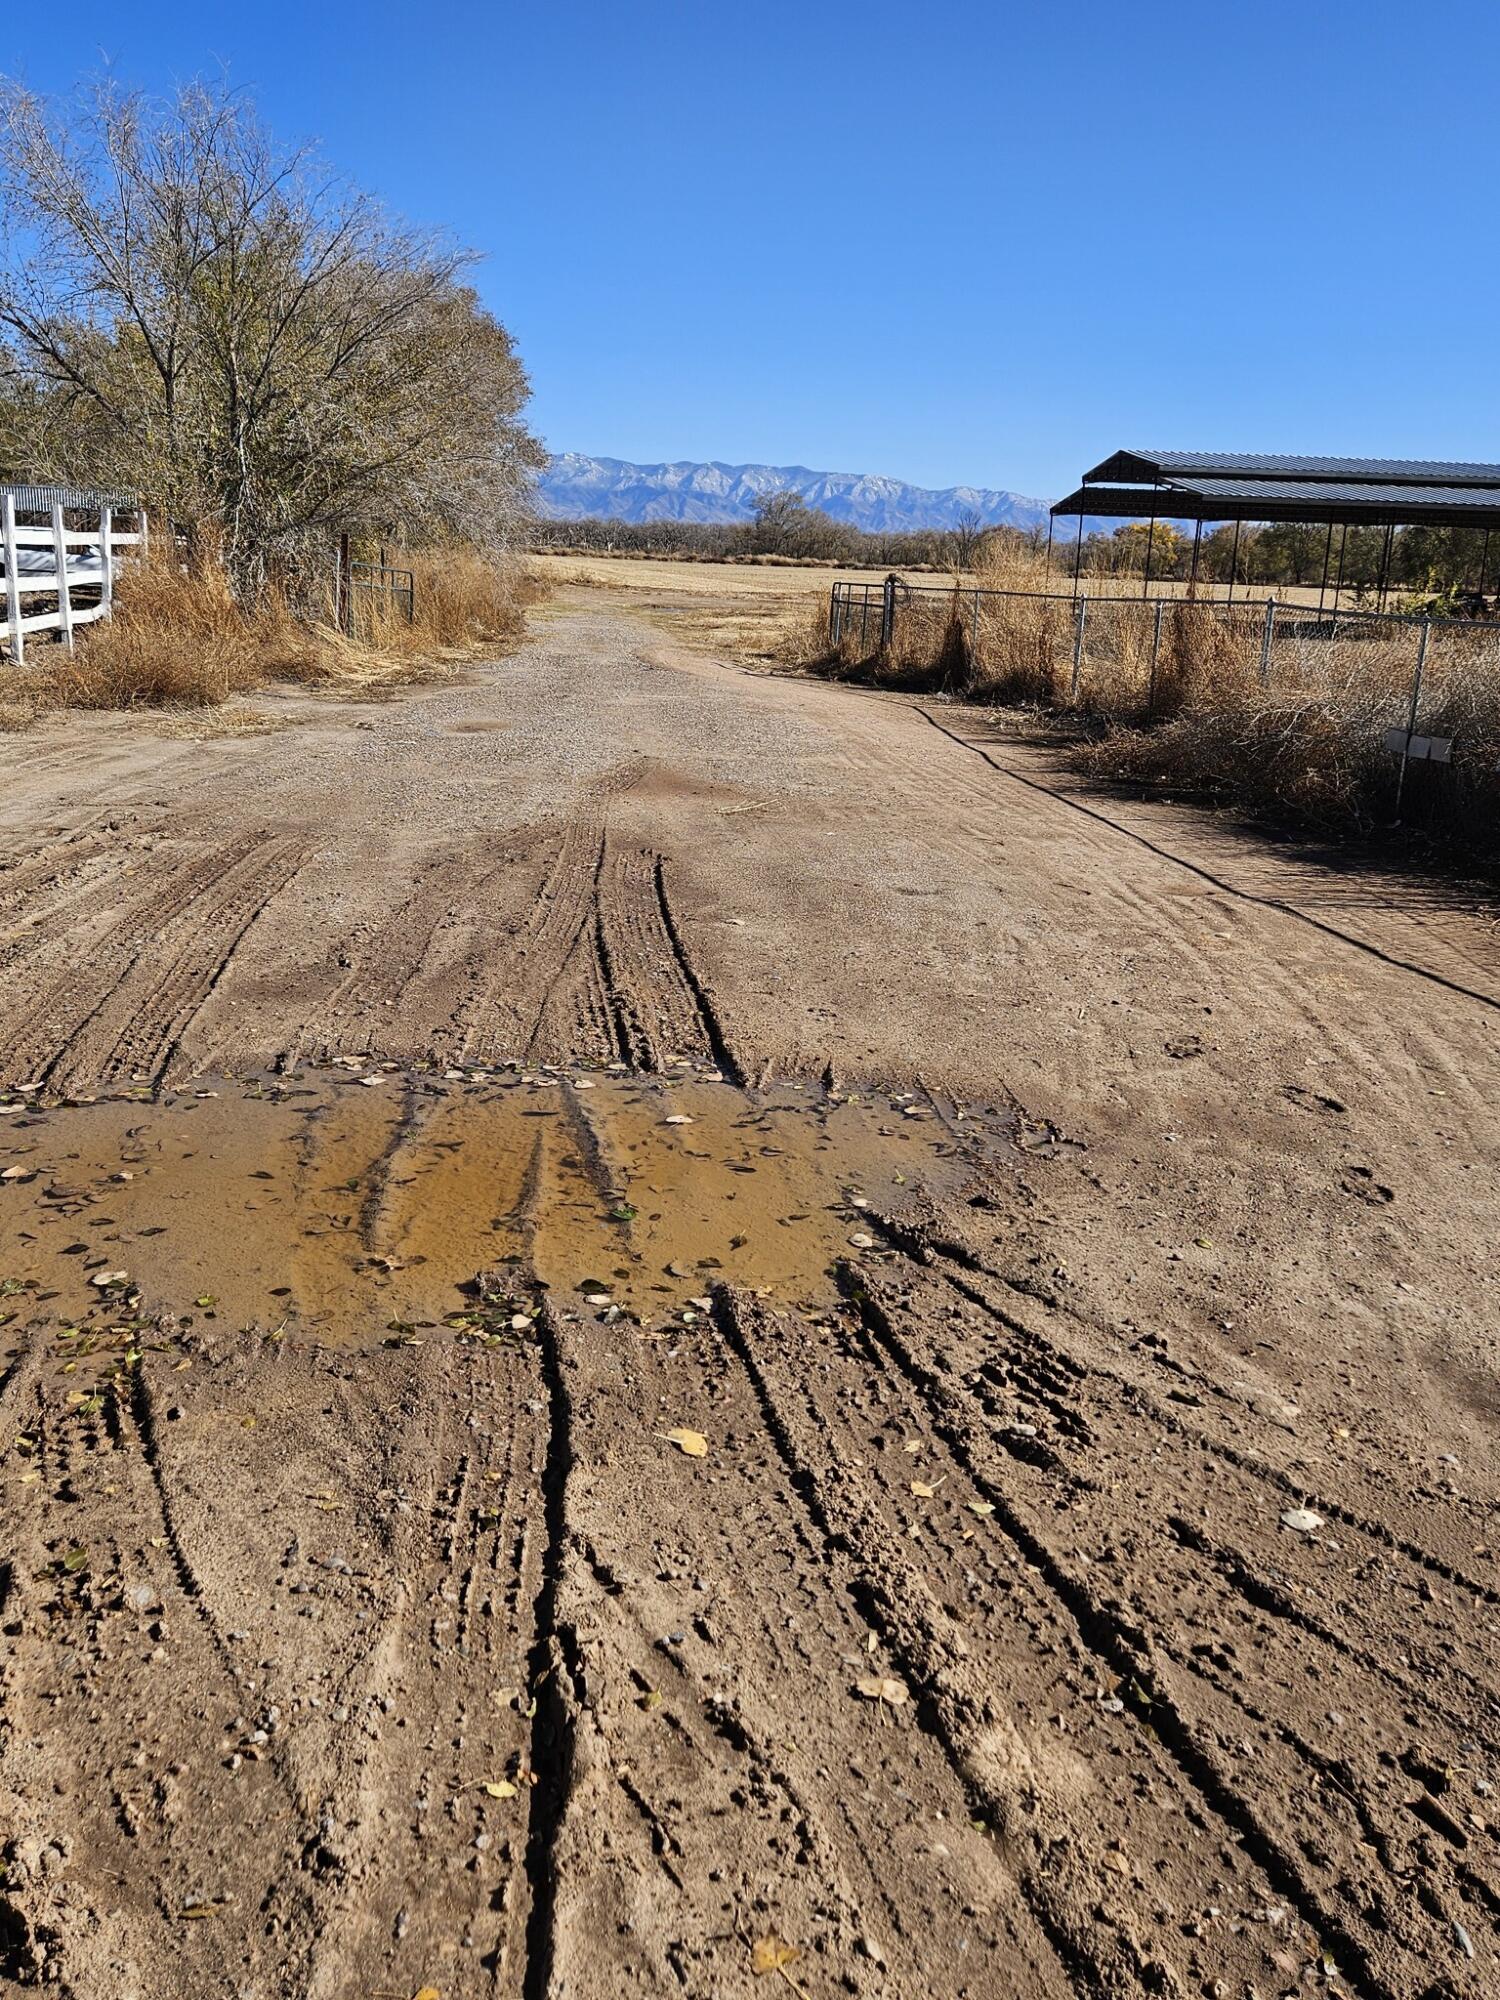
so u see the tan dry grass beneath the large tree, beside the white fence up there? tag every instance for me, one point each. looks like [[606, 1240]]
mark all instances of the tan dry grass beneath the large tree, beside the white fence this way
[[179, 639]]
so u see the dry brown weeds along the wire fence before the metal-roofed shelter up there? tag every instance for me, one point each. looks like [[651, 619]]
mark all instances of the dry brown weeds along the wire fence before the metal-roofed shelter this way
[[1345, 719]]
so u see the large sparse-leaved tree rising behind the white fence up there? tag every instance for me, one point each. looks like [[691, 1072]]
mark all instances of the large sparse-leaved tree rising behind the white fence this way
[[241, 337]]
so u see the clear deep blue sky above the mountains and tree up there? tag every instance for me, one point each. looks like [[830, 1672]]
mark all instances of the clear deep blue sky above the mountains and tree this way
[[953, 243]]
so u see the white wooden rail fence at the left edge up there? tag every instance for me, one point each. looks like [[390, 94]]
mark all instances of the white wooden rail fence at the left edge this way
[[47, 559]]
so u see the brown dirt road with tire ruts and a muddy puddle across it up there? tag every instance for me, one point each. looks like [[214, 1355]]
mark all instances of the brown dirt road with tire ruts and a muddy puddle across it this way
[[711, 1333]]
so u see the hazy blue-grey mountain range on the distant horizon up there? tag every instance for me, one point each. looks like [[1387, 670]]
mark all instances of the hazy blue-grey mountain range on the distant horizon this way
[[577, 487]]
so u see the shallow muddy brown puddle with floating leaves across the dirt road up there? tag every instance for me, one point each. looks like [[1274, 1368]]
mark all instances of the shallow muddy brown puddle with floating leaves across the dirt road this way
[[359, 1205]]
